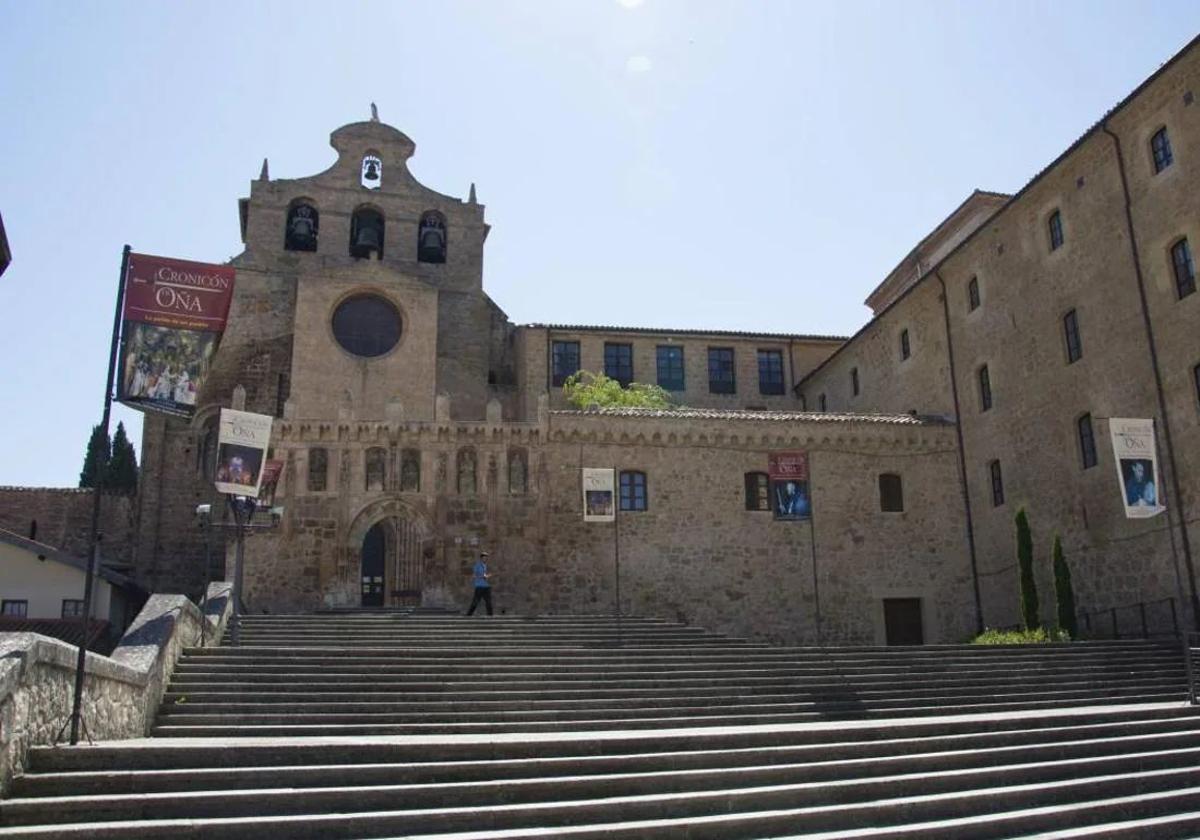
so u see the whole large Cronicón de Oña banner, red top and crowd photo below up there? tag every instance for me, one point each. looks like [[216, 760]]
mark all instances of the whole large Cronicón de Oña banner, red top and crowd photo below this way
[[175, 315]]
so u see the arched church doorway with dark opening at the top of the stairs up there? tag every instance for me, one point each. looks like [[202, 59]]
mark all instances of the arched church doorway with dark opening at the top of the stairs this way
[[392, 565]]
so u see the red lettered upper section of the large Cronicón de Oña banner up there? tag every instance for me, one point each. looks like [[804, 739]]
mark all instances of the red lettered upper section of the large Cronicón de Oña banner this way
[[178, 293]]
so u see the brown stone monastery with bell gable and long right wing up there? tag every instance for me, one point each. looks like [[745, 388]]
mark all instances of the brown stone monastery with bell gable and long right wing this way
[[419, 425]]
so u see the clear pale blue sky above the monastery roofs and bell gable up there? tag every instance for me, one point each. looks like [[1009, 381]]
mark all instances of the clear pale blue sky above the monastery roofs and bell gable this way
[[753, 166]]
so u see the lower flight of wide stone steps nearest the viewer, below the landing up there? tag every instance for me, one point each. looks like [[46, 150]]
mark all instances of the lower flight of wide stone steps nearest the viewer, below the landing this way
[[754, 783]]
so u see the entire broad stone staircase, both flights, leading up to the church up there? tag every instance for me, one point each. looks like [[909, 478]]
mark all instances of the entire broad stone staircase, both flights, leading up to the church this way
[[355, 725]]
